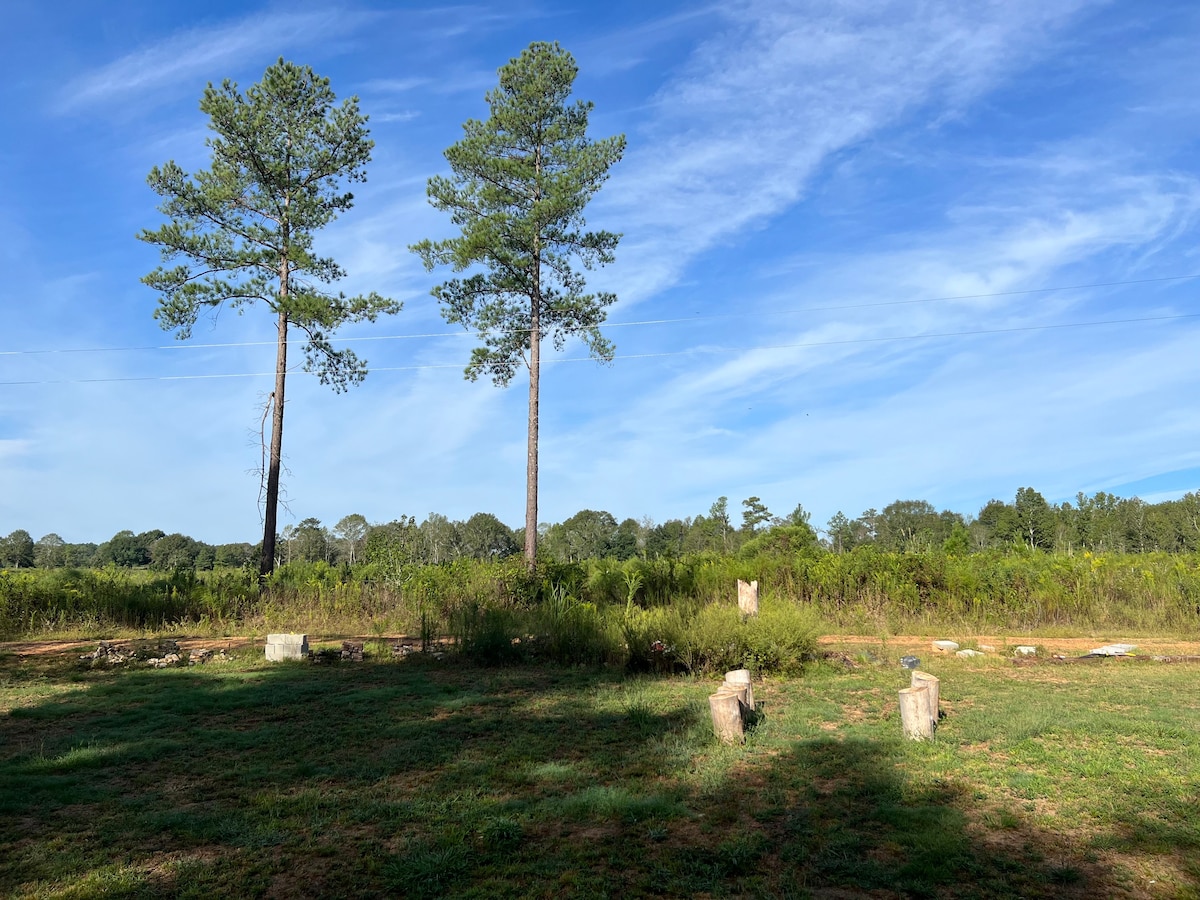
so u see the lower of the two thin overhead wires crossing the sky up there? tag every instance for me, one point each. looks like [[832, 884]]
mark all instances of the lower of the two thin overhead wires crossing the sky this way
[[644, 356]]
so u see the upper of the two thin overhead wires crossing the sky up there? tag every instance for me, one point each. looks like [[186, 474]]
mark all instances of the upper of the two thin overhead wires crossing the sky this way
[[611, 325]]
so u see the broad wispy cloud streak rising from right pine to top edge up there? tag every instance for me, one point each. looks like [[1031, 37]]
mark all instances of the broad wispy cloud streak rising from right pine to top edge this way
[[779, 92]]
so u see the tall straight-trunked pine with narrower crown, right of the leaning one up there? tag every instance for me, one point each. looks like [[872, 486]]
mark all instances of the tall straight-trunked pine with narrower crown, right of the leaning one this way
[[521, 181]]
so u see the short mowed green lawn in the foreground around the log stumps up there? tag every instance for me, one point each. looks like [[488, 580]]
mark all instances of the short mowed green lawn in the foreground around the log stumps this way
[[433, 778]]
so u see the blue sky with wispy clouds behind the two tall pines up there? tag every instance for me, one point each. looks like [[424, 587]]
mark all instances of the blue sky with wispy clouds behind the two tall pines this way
[[881, 244]]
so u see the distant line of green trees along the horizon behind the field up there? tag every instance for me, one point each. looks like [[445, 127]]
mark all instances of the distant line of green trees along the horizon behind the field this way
[[1101, 523]]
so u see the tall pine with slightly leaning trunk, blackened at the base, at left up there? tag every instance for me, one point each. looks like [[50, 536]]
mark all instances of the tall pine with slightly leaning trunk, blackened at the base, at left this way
[[244, 230]]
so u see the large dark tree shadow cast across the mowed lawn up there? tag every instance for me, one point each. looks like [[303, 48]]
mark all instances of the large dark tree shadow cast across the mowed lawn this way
[[423, 781]]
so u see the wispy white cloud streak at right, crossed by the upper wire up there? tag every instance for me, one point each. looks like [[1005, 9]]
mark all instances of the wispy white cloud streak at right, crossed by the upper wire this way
[[987, 255]]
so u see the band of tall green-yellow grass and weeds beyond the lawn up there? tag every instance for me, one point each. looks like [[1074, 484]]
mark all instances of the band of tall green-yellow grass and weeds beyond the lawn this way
[[623, 609]]
